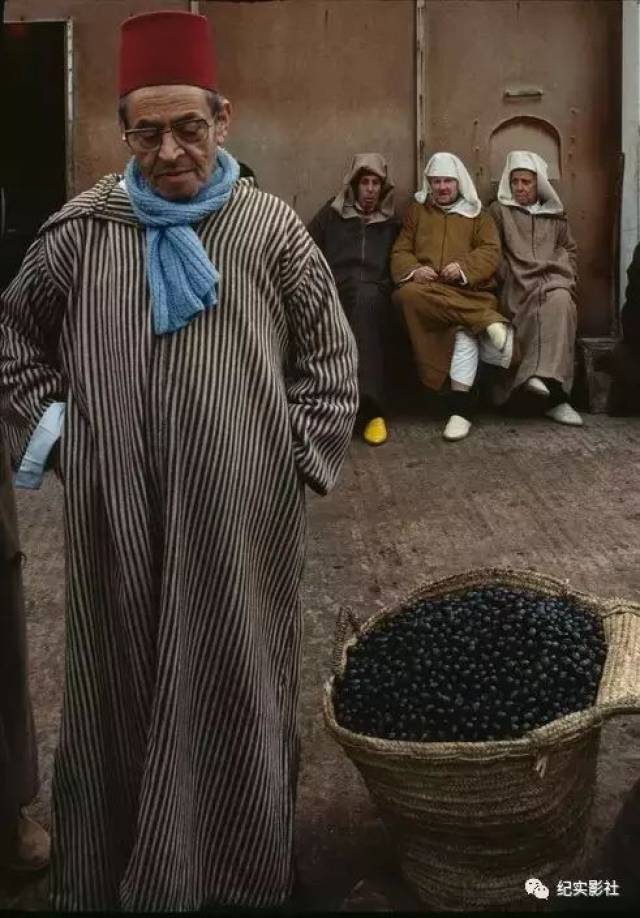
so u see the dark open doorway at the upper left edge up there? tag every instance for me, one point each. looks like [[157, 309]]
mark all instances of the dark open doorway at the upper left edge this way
[[32, 163]]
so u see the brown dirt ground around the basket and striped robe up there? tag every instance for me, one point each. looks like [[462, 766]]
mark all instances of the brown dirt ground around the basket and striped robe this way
[[523, 493]]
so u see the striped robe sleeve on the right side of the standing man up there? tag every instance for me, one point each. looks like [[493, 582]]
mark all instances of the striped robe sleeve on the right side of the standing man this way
[[322, 388]]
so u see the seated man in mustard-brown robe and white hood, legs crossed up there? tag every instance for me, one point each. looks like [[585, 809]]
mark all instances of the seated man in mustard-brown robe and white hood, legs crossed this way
[[444, 263]]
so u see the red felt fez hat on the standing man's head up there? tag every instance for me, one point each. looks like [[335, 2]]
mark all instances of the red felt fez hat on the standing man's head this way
[[170, 47]]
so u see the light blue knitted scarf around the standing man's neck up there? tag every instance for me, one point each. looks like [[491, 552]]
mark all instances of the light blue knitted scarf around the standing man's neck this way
[[182, 280]]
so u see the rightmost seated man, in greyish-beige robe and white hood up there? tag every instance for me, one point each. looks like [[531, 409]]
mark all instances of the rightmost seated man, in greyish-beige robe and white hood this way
[[538, 277]]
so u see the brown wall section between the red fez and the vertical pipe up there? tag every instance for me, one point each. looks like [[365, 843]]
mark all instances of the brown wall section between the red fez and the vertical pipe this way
[[314, 81]]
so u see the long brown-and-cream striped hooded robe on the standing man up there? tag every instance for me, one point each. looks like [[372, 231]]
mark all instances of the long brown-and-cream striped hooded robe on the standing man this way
[[183, 459]]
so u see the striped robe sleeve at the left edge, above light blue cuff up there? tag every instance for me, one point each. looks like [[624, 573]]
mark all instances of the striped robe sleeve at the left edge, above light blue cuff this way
[[31, 377]]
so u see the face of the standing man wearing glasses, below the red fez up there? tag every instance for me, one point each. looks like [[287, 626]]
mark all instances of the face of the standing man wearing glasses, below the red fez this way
[[177, 169]]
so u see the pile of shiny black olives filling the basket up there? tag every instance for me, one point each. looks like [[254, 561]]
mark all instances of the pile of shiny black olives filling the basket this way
[[490, 663]]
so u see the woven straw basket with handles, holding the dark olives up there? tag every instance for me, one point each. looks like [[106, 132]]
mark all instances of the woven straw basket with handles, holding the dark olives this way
[[473, 821]]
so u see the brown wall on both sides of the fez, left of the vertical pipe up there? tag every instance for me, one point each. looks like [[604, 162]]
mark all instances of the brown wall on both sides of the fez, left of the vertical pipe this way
[[311, 81]]
